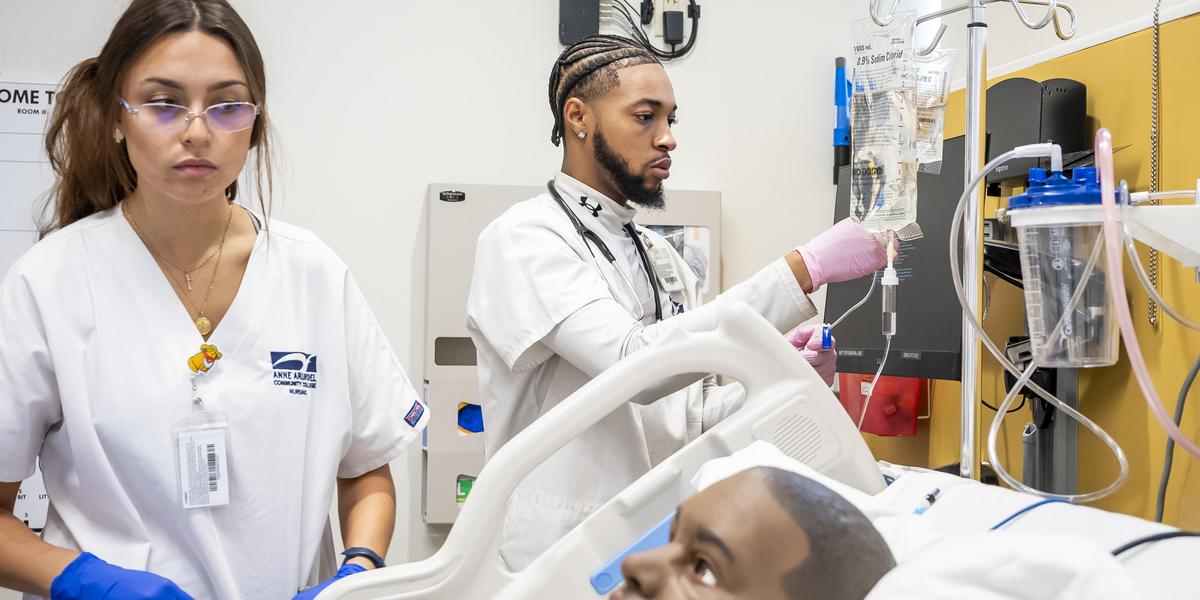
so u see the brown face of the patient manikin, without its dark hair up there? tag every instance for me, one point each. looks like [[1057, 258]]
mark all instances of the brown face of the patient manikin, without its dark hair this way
[[731, 541]]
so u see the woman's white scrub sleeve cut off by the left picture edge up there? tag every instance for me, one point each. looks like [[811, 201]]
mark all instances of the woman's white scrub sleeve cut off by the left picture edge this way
[[29, 394]]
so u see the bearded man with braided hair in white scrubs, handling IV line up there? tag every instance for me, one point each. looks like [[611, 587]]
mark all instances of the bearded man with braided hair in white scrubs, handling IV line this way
[[566, 286]]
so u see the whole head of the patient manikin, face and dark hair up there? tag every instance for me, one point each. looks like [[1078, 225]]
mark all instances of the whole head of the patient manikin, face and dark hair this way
[[765, 533]]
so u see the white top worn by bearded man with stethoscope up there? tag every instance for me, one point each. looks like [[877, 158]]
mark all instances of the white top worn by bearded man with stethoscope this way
[[547, 316]]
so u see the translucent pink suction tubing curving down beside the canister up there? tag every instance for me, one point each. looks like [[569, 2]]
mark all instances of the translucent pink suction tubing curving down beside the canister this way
[[1113, 233]]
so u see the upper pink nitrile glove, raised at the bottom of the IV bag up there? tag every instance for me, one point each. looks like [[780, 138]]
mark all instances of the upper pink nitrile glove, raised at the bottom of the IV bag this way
[[844, 253]]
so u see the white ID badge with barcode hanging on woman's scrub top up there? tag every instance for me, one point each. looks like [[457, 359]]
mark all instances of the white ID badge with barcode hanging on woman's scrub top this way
[[202, 460]]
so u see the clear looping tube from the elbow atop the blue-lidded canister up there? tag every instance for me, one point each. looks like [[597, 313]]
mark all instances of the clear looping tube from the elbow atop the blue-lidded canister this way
[[957, 226]]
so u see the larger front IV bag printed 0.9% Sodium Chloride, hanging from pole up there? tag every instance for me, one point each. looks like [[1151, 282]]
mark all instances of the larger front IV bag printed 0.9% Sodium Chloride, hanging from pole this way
[[884, 125]]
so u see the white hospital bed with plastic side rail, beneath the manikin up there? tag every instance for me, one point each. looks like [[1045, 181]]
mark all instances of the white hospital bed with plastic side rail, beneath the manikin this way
[[788, 405]]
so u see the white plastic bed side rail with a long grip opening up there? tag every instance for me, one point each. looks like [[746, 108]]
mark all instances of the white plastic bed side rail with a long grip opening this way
[[787, 404]]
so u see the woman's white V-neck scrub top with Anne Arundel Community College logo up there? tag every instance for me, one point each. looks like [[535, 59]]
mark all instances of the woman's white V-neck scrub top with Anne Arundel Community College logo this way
[[94, 351]]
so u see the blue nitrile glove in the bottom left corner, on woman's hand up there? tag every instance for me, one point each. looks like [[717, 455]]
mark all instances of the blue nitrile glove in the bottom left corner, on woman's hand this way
[[91, 579]]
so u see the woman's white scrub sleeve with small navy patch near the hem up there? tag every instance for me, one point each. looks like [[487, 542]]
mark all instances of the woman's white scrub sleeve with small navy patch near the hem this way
[[386, 412]]
